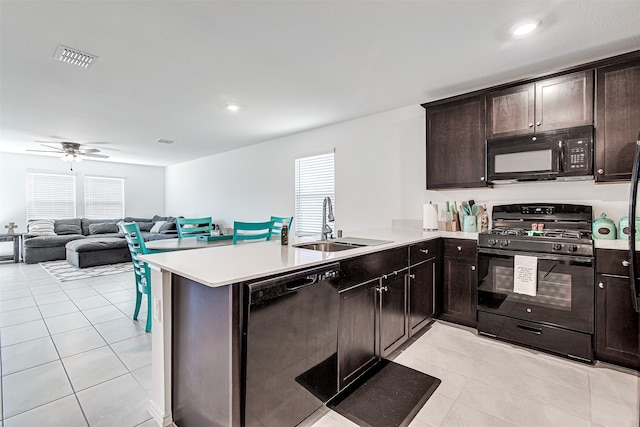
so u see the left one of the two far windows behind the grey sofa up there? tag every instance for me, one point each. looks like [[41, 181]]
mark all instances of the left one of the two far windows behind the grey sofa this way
[[50, 196]]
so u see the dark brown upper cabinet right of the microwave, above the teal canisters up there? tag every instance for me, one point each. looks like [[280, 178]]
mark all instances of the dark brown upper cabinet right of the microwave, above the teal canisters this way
[[617, 120]]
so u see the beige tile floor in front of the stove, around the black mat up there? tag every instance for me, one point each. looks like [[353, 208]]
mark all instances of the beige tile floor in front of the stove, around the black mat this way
[[490, 383]]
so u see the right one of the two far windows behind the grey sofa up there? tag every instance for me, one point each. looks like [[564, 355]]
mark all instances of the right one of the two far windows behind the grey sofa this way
[[103, 197]]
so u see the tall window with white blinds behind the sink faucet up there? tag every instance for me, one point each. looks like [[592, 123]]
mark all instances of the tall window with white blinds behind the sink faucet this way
[[315, 180]]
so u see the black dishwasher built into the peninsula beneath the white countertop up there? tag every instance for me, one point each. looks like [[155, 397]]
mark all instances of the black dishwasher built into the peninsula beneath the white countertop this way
[[290, 341]]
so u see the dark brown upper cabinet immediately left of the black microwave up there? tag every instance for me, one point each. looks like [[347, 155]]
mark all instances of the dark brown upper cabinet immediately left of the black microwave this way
[[456, 144]]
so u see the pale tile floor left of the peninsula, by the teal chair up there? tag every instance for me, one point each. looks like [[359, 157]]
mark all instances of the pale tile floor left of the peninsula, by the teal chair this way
[[70, 354]]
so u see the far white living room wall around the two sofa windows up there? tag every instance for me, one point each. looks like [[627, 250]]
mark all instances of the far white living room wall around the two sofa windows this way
[[144, 185]]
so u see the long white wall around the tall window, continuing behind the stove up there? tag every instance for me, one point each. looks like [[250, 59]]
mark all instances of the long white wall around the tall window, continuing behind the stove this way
[[380, 176]]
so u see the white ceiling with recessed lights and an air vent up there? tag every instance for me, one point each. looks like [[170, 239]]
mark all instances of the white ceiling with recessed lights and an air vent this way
[[167, 69]]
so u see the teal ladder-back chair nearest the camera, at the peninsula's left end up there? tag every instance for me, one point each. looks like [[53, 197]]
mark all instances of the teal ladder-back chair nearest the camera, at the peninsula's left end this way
[[141, 269]]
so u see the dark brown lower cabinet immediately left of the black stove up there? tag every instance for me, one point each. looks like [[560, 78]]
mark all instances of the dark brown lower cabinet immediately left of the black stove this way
[[460, 282]]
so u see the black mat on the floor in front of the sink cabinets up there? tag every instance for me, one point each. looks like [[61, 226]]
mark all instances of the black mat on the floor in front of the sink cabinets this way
[[390, 396]]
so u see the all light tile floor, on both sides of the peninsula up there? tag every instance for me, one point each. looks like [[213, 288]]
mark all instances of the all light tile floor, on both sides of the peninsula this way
[[70, 355]]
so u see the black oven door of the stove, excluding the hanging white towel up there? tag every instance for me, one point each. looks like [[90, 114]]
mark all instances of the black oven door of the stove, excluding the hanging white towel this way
[[564, 289]]
